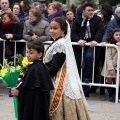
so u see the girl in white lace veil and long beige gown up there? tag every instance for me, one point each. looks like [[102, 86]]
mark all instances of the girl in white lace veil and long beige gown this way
[[67, 100]]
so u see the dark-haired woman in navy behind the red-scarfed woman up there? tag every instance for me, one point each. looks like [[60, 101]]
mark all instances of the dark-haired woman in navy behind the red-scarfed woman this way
[[18, 12]]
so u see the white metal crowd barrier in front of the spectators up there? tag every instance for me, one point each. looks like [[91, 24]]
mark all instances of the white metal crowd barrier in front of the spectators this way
[[116, 86]]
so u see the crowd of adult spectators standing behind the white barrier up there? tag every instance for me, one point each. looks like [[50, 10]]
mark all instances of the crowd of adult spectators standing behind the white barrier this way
[[87, 26]]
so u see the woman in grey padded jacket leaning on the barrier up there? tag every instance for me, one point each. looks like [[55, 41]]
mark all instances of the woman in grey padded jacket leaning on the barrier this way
[[36, 28]]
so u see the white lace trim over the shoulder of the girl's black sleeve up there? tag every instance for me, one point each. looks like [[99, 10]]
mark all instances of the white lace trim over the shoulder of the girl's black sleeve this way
[[57, 48]]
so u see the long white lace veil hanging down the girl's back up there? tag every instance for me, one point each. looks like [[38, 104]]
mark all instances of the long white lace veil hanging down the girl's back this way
[[73, 85]]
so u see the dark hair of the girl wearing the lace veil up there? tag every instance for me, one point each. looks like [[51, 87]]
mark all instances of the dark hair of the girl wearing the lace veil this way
[[62, 22]]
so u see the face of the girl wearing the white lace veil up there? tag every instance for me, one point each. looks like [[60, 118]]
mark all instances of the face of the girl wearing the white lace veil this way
[[55, 30]]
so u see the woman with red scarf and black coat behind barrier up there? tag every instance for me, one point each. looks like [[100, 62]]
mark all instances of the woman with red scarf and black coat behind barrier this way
[[11, 29]]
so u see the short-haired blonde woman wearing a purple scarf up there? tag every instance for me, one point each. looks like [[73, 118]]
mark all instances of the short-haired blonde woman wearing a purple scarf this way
[[54, 10]]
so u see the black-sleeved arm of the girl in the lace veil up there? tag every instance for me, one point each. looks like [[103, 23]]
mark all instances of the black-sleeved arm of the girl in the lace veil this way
[[57, 62]]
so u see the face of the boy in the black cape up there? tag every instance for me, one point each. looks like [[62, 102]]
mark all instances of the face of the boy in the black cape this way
[[33, 55]]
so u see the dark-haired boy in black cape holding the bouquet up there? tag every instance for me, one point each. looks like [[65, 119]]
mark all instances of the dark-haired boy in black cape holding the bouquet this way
[[34, 92]]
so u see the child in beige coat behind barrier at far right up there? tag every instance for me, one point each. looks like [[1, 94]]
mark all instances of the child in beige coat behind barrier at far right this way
[[111, 63]]
